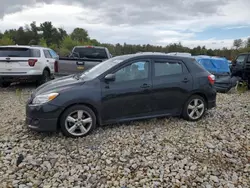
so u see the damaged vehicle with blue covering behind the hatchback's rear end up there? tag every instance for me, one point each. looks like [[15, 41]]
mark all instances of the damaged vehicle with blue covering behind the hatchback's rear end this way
[[220, 68]]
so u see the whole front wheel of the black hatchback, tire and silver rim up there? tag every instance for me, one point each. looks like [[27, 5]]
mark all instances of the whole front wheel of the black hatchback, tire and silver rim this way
[[75, 127]]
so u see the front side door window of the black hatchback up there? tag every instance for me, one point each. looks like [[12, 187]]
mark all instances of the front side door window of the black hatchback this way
[[134, 71]]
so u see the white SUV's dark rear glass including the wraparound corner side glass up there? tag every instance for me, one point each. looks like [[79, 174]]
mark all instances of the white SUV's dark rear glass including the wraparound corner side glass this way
[[19, 52]]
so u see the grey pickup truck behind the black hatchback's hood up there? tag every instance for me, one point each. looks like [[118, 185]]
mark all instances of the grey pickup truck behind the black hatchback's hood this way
[[81, 59]]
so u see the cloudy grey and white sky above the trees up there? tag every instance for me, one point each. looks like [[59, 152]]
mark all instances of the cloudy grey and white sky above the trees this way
[[213, 23]]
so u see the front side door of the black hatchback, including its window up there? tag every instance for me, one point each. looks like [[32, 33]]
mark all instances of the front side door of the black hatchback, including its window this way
[[129, 96]]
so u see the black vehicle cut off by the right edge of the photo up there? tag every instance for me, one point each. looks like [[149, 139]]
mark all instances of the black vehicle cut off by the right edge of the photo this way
[[241, 66]]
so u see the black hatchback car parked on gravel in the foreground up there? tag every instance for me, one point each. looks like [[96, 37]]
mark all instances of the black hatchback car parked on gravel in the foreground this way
[[123, 88]]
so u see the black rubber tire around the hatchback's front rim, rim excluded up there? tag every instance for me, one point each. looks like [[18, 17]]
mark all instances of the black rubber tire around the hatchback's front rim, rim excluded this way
[[74, 108]]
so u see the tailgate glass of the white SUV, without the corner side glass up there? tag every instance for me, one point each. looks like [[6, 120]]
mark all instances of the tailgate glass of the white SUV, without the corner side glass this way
[[15, 52]]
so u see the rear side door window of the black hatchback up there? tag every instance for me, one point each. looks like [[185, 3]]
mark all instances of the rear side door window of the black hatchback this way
[[165, 68]]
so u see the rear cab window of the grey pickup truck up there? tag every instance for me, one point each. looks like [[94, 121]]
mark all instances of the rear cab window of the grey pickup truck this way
[[98, 53]]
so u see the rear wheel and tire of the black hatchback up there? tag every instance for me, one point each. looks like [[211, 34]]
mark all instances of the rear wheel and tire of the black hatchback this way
[[191, 102]]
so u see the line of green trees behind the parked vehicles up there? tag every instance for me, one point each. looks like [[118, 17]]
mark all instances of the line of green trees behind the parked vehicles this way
[[62, 42]]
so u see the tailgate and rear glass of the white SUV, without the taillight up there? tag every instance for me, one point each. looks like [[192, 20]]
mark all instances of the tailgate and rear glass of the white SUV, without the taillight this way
[[14, 60]]
